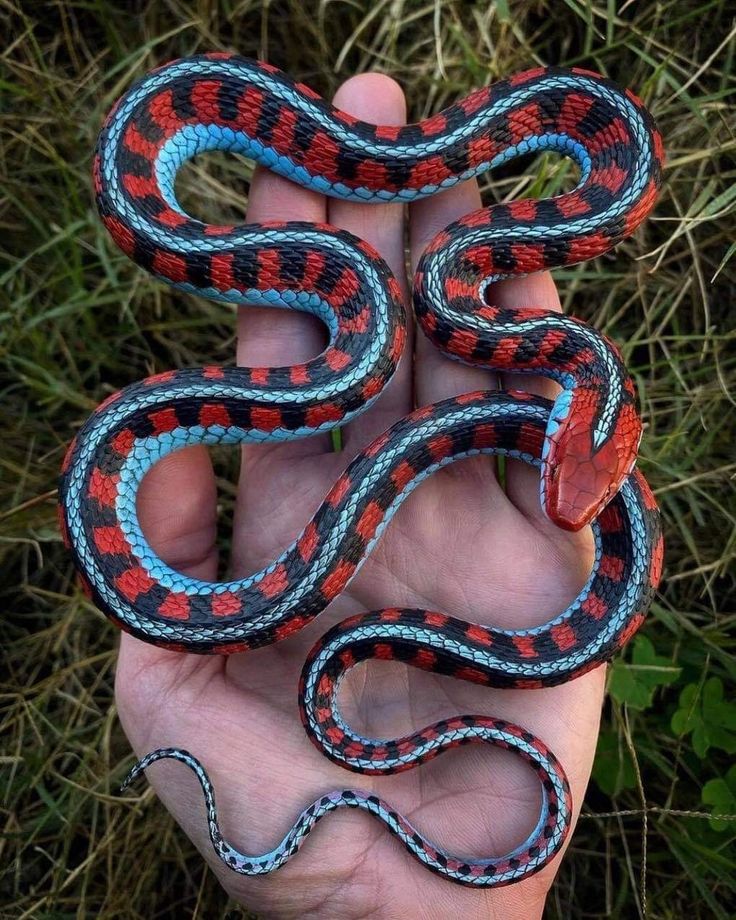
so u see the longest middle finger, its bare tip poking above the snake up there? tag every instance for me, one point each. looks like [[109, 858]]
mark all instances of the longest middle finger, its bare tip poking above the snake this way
[[379, 100]]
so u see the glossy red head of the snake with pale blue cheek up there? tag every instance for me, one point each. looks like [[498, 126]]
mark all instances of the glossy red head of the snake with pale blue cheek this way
[[583, 465]]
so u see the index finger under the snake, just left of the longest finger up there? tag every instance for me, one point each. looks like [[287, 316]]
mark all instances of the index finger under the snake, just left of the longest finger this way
[[269, 337]]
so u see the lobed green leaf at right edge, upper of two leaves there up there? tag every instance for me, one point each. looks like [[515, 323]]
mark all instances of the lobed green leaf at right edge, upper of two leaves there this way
[[710, 718]]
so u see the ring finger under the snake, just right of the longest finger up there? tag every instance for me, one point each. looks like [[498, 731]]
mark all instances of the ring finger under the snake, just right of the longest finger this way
[[436, 376]]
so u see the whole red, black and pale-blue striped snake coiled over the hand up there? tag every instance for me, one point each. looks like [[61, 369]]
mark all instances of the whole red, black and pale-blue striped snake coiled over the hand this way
[[584, 443]]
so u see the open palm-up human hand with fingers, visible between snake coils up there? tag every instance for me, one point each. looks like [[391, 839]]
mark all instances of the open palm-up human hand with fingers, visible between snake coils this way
[[461, 544]]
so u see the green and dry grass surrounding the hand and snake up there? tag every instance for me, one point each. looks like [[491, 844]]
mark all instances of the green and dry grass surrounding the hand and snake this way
[[78, 320]]
